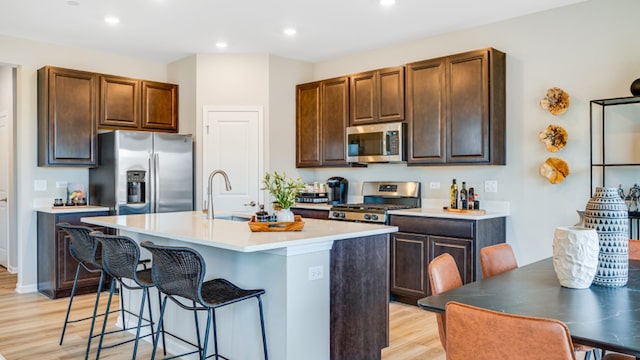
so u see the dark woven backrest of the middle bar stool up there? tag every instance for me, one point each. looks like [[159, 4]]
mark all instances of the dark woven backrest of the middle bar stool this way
[[120, 255]]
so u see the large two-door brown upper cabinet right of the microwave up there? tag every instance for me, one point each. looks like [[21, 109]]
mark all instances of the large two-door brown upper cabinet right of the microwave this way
[[456, 109]]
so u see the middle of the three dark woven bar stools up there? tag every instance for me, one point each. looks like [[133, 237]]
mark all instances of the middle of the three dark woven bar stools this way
[[120, 260]]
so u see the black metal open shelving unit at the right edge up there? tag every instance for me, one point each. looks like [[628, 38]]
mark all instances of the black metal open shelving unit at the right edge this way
[[602, 166]]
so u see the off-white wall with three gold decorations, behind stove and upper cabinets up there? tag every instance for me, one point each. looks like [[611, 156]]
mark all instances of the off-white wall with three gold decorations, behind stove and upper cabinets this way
[[589, 49]]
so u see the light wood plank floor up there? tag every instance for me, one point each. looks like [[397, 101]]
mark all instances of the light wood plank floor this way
[[30, 326]]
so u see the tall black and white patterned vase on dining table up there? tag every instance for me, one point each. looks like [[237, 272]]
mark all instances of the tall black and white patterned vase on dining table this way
[[607, 213]]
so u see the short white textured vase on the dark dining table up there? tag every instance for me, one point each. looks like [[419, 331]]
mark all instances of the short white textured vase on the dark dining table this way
[[575, 256]]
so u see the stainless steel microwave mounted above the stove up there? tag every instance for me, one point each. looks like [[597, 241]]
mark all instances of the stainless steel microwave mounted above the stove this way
[[376, 143]]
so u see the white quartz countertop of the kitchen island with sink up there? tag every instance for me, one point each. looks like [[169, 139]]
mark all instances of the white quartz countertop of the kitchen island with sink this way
[[193, 227]]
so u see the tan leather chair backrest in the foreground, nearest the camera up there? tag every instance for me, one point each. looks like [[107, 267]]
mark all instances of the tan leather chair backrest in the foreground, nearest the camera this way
[[481, 334]]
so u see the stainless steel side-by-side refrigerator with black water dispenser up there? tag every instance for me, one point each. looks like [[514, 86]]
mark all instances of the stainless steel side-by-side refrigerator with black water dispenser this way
[[142, 172]]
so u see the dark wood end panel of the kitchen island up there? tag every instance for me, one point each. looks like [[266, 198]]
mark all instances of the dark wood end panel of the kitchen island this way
[[359, 298]]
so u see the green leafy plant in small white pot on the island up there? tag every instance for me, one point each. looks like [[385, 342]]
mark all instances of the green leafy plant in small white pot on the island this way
[[284, 190]]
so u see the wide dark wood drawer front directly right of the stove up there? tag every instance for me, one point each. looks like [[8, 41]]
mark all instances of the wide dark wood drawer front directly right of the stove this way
[[435, 226]]
